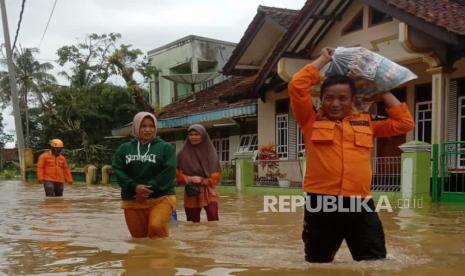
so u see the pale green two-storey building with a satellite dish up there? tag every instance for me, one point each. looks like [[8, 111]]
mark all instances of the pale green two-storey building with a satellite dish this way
[[186, 65]]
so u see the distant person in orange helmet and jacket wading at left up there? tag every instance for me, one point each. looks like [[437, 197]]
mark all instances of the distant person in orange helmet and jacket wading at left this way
[[53, 170]]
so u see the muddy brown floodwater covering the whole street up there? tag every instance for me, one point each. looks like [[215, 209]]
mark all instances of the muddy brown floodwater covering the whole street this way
[[84, 233]]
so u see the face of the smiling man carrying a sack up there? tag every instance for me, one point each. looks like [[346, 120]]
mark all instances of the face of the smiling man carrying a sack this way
[[337, 101]]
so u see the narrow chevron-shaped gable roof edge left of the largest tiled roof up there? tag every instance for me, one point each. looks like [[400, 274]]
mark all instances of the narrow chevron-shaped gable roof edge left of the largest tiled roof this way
[[283, 17]]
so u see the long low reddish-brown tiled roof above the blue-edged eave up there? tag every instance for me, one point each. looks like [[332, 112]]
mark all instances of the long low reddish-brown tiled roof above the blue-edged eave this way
[[209, 99]]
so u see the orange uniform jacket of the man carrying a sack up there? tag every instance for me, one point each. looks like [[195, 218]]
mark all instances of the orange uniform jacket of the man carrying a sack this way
[[339, 152]]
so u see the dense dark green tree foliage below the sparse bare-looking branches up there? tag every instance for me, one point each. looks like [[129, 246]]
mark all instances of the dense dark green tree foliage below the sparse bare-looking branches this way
[[83, 116]]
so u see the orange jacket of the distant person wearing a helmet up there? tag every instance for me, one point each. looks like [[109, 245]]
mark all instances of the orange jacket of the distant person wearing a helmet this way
[[53, 168]]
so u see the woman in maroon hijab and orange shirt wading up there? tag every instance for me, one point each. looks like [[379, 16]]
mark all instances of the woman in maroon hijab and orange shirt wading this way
[[199, 169]]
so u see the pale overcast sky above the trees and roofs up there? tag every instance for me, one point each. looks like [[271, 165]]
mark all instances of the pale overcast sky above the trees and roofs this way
[[146, 24]]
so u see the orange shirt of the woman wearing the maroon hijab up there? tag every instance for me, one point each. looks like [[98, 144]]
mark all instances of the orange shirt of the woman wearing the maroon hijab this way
[[208, 193]]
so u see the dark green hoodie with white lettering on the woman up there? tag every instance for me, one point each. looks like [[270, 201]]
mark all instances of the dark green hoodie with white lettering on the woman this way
[[152, 164]]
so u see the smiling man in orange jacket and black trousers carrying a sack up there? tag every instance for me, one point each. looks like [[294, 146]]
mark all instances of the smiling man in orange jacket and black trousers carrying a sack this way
[[338, 145]]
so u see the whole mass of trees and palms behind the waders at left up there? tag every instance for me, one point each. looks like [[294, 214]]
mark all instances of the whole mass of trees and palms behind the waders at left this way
[[85, 111]]
